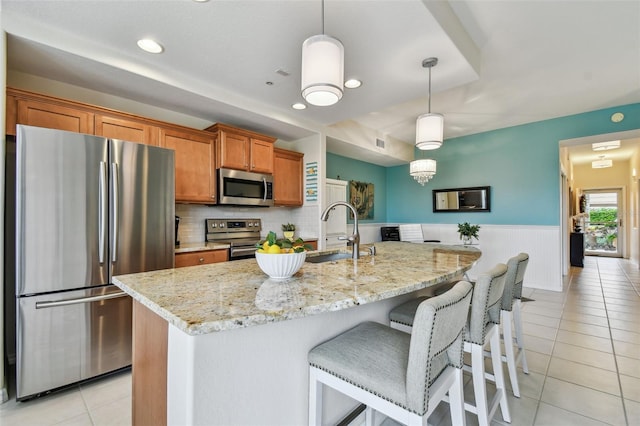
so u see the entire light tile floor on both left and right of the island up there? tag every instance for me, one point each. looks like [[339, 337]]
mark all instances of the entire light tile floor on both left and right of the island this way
[[583, 349]]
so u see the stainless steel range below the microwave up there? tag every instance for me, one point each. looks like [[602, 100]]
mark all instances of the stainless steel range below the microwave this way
[[241, 234]]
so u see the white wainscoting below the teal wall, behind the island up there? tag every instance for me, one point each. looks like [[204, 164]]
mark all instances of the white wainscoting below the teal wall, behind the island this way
[[500, 242]]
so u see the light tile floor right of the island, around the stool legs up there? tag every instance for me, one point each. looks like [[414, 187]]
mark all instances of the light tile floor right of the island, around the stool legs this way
[[583, 350]]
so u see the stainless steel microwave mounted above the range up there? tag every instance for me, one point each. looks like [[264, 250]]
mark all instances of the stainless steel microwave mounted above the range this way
[[240, 188]]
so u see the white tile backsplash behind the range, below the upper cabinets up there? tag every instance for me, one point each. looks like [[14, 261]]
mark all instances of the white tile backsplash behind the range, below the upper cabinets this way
[[192, 217]]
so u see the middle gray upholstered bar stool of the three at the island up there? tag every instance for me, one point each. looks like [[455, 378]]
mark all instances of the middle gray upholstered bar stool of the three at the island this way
[[482, 327]]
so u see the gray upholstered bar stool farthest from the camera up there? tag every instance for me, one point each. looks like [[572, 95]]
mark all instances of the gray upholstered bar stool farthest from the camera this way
[[511, 316]]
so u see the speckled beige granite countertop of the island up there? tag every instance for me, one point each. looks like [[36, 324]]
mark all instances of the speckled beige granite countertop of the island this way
[[229, 295]]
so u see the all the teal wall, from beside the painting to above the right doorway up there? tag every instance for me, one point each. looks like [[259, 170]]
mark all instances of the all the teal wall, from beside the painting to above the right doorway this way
[[521, 164]]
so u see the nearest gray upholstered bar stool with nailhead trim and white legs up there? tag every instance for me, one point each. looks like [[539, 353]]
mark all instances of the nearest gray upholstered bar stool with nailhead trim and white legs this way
[[399, 375]]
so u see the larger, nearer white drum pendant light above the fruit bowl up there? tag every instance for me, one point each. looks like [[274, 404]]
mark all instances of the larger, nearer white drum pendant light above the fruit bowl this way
[[322, 69]]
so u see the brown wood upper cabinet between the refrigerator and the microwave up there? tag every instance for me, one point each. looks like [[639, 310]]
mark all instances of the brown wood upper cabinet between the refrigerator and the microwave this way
[[195, 174]]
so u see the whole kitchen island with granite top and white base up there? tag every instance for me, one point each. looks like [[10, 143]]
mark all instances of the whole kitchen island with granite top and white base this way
[[223, 344]]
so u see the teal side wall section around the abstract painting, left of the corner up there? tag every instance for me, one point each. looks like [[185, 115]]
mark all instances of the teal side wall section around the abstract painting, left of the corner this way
[[344, 168]]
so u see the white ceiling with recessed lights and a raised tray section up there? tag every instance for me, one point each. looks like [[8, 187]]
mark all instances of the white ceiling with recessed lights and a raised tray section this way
[[501, 63]]
